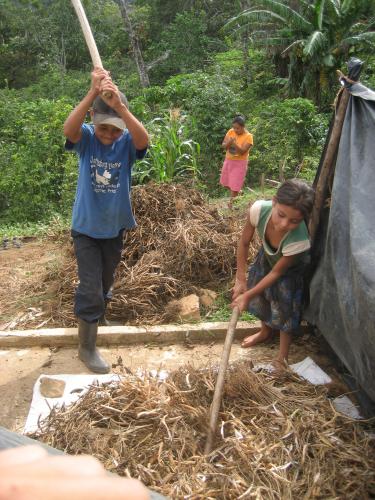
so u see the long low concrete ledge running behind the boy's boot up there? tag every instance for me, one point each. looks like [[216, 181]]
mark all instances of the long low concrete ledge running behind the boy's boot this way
[[127, 335]]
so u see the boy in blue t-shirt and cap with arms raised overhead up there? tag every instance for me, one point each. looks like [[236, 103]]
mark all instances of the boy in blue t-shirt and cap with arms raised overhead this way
[[102, 209]]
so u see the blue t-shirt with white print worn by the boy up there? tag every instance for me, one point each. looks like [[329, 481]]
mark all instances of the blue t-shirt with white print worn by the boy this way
[[102, 204]]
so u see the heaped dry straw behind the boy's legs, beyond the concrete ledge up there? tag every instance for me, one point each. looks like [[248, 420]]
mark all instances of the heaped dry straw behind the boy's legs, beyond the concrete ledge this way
[[180, 243]]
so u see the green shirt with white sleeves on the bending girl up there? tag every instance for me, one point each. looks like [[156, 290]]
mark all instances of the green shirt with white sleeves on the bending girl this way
[[295, 242]]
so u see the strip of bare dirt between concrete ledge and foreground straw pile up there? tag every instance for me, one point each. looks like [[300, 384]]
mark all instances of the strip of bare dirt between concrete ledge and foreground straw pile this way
[[20, 368]]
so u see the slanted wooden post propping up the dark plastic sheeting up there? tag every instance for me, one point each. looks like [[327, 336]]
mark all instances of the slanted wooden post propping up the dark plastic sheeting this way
[[328, 162]]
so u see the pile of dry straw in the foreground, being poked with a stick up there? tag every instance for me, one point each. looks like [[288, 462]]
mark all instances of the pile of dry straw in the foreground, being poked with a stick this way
[[277, 438]]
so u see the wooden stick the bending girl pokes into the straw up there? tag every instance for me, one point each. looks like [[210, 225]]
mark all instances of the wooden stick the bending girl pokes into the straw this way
[[216, 401]]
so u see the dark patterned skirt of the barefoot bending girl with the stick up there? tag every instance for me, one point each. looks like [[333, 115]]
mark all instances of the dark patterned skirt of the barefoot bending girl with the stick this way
[[280, 305]]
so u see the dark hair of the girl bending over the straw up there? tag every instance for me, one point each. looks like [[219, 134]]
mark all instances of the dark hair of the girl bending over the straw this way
[[297, 194]]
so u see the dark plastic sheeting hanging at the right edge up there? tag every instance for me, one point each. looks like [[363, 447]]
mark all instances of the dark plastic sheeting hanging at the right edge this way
[[342, 290]]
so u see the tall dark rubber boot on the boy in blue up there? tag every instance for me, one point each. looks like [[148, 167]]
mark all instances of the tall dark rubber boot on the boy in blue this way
[[87, 351]]
